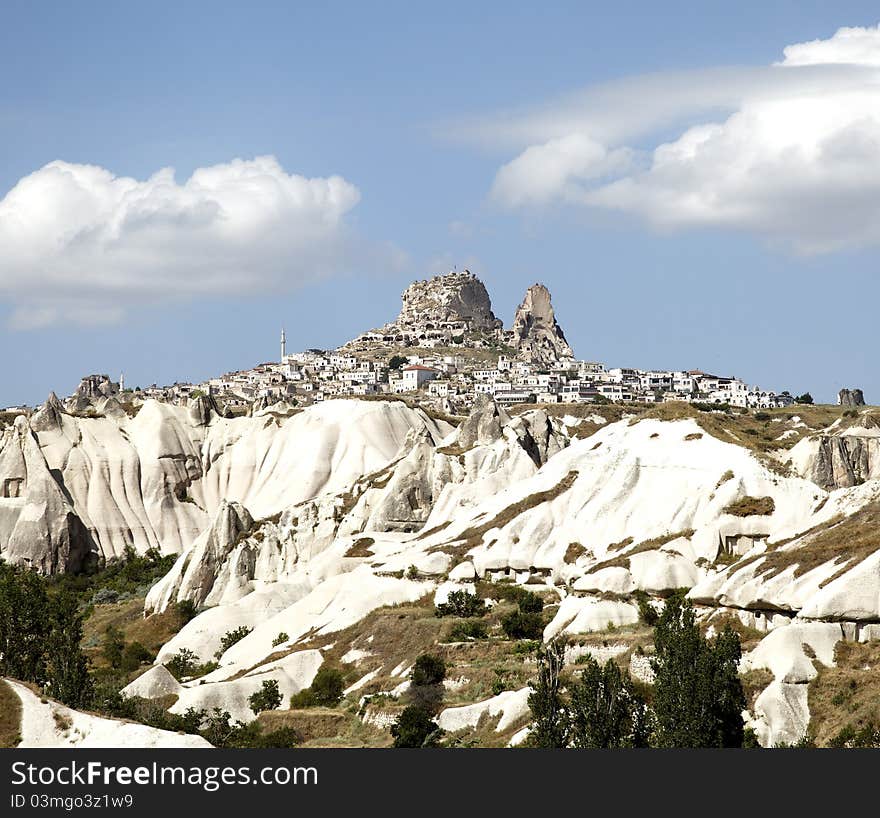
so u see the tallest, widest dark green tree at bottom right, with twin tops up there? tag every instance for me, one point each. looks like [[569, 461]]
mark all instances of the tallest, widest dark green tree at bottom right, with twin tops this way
[[698, 696]]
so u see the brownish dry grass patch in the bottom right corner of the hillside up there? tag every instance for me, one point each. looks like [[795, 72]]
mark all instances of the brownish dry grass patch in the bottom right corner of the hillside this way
[[848, 694]]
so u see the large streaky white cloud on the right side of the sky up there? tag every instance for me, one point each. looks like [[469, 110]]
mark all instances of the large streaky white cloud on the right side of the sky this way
[[795, 155]]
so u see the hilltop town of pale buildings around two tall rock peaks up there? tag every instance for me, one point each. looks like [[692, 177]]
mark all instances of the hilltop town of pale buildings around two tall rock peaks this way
[[445, 348]]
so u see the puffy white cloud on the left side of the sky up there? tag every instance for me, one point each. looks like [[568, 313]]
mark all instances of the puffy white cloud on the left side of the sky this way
[[80, 244]]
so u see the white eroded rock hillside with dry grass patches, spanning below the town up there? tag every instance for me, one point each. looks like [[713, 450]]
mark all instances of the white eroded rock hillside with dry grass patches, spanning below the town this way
[[303, 528]]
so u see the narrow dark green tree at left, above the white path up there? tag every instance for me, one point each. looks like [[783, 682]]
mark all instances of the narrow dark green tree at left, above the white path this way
[[67, 668]]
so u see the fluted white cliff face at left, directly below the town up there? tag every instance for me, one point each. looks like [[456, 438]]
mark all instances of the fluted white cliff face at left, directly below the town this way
[[75, 485]]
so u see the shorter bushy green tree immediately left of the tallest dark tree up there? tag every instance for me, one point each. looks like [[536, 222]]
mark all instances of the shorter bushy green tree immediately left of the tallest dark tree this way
[[606, 710]]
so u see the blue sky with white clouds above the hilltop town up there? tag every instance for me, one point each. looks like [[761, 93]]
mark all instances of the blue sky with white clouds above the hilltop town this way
[[444, 124]]
